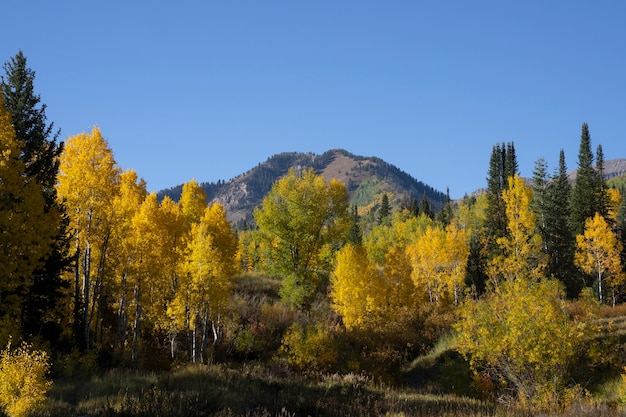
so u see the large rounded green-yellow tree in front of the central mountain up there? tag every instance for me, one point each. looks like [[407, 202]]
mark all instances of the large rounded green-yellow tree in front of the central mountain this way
[[302, 221]]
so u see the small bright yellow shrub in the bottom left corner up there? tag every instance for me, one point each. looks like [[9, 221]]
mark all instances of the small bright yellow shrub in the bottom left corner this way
[[23, 382]]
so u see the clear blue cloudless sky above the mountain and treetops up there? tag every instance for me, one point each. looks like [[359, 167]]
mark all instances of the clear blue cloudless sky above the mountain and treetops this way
[[208, 89]]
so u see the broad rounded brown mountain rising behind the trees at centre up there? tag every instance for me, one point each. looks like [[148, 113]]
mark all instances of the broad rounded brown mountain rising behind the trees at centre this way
[[366, 178]]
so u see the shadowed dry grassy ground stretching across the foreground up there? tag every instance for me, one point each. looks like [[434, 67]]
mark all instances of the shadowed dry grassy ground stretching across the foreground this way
[[436, 384]]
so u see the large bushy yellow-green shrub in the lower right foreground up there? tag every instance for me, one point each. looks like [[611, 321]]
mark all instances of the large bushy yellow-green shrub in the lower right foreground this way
[[524, 334]]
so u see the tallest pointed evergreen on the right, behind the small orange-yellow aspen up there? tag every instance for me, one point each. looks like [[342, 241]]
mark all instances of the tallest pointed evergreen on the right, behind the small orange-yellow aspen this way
[[584, 199]]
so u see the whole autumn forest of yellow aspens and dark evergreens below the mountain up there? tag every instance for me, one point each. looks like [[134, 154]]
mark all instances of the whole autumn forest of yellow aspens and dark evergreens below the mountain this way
[[116, 302]]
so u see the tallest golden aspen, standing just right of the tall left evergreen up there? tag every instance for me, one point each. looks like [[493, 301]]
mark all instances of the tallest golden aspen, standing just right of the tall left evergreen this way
[[87, 185]]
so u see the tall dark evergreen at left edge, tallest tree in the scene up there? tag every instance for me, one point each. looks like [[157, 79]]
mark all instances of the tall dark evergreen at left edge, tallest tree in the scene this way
[[40, 155]]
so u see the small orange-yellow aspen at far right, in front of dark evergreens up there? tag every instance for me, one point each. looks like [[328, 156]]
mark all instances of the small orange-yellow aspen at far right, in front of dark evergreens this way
[[598, 253]]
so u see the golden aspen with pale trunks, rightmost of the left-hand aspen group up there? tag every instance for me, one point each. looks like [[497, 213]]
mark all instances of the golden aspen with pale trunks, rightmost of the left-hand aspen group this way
[[210, 264]]
